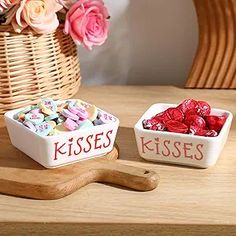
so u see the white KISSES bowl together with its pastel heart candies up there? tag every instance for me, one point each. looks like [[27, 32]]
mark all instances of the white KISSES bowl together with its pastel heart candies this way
[[56, 133]]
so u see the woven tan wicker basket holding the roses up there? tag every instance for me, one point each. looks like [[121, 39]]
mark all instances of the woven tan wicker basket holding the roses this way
[[34, 66]]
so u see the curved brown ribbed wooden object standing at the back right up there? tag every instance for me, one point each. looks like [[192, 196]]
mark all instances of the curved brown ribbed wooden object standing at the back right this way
[[215, 61]]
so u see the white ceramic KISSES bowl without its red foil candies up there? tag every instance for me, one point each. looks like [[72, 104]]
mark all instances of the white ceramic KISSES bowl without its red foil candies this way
[[183, 149]]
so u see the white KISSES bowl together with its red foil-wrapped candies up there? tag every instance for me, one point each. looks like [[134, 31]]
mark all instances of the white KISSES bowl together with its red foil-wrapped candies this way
[[191, 133]]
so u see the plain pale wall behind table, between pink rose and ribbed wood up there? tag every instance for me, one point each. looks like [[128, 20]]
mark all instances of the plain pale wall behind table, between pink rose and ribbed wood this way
[[150, 42]]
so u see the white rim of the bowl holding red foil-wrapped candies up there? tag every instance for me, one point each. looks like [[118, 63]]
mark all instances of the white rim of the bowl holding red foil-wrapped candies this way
[[138, 126]]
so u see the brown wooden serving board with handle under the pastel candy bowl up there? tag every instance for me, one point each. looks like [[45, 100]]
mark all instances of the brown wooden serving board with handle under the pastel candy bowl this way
[[21, 176]]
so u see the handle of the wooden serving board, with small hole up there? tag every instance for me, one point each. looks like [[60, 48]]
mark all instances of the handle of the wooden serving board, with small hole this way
[[131, 177]]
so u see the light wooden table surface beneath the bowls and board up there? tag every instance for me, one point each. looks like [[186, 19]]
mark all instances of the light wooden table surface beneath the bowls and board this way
[[188, 201]]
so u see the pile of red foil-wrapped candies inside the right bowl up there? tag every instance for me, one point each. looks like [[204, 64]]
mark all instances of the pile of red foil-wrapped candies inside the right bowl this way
[[190, 117]]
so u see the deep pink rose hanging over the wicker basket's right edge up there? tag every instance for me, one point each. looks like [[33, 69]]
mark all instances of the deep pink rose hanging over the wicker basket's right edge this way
[[87, 22]]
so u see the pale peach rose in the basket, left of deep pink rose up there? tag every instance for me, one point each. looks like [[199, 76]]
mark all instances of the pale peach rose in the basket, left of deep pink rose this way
[[40, 15]]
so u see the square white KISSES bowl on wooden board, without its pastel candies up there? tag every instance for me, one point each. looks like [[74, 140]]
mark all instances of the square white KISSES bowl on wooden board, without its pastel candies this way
[[62, 149]]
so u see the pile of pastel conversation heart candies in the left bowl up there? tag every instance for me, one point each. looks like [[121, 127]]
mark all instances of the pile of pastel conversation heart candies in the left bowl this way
[[47, 118]]
